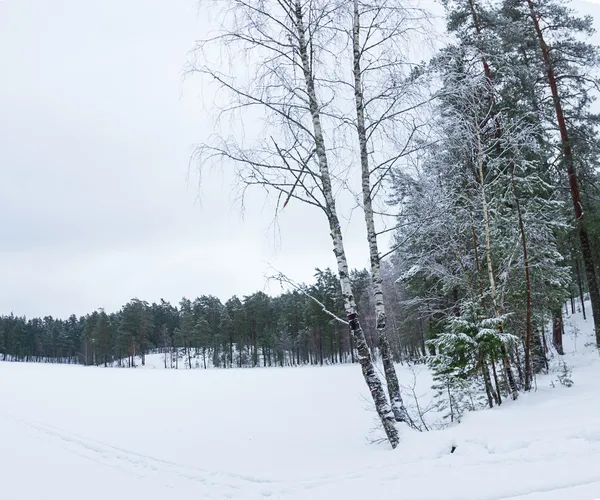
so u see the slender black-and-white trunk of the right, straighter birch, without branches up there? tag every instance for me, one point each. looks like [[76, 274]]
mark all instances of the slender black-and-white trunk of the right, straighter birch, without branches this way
[[393, 385]]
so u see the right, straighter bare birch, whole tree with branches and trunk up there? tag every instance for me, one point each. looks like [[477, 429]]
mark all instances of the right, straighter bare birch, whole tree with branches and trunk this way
[[379, 30]]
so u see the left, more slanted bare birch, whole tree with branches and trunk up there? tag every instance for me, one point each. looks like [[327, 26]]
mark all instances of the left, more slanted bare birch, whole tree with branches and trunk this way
[[289, 47]]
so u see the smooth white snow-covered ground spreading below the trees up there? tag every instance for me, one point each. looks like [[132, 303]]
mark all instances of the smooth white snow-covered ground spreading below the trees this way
[[70, 432]]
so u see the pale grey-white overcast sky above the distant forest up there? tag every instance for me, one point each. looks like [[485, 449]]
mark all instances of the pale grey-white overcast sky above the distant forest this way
[[96, 130]]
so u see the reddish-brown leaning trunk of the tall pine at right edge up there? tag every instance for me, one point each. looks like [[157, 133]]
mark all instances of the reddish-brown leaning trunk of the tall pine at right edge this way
[[586, 248]]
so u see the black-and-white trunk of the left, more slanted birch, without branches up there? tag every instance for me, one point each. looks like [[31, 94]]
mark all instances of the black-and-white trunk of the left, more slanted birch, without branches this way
[[364, 354]]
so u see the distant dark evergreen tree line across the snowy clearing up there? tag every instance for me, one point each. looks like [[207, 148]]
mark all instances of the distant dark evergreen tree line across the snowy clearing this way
[[291, 329]]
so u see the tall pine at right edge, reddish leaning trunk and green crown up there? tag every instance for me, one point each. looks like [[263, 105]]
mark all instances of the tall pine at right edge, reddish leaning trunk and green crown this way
[[547, 33]]
